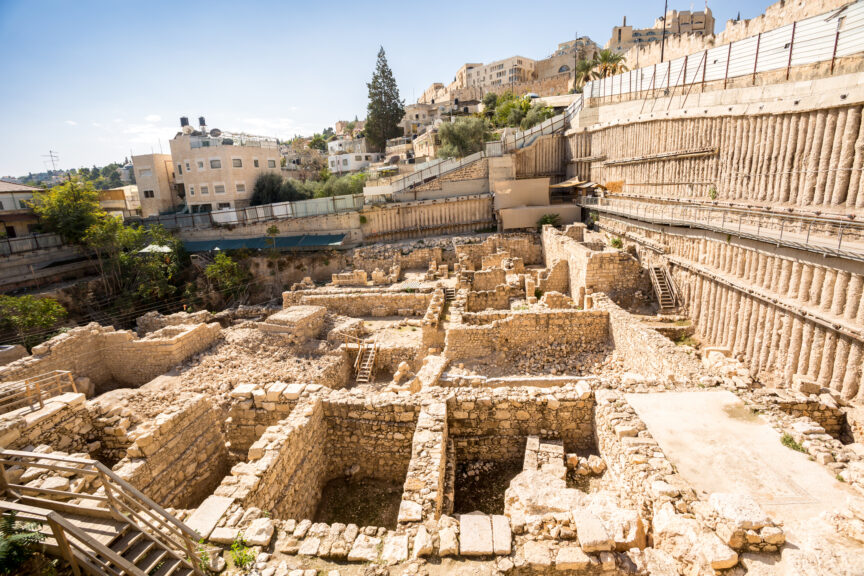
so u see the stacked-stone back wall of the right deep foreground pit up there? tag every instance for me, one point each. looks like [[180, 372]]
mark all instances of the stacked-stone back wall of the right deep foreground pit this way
[[490, 426]]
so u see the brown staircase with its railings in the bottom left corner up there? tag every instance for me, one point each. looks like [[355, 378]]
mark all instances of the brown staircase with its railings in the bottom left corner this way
[[115, 531]]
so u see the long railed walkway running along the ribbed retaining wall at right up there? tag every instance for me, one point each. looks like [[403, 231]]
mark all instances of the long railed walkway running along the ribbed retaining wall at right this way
[[829, 236]]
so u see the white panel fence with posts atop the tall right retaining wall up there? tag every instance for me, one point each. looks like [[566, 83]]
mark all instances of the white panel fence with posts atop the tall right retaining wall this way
[[821, 38]]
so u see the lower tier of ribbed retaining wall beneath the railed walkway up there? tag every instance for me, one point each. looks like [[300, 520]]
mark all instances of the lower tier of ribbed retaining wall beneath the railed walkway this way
[[786, 311]]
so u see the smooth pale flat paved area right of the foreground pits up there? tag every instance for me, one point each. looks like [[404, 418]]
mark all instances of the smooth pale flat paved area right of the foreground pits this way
[[717, 445]]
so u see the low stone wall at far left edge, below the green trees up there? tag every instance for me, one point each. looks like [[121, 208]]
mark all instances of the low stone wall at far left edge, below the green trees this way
[[109, 357]]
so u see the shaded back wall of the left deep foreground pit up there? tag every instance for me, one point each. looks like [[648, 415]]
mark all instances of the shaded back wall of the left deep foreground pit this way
[[373, 437]]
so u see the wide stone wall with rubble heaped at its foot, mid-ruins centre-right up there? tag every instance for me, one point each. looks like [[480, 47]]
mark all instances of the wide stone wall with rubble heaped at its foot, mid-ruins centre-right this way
[[583, 331]]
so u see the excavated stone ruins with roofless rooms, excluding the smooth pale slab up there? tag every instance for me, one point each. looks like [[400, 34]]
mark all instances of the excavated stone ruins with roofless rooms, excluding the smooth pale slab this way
[[495, 432]]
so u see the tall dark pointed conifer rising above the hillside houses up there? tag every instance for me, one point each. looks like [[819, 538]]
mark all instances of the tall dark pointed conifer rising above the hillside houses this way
[[385, 109]]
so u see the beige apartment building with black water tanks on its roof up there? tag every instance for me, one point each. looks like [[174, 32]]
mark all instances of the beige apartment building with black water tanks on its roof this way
[[216, 170]]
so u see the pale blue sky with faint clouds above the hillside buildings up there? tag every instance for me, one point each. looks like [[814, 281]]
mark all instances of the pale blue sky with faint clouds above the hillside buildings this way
[[95, 81]]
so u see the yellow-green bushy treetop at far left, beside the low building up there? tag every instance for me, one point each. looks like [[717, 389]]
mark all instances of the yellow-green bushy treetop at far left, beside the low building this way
[[69, 209]]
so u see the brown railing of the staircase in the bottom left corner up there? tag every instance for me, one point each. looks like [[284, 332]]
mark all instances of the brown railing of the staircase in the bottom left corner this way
[[116, 497]]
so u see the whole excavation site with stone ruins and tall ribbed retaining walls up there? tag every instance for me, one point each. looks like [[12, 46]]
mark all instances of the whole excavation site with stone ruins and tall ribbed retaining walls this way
[[665, 379]]
